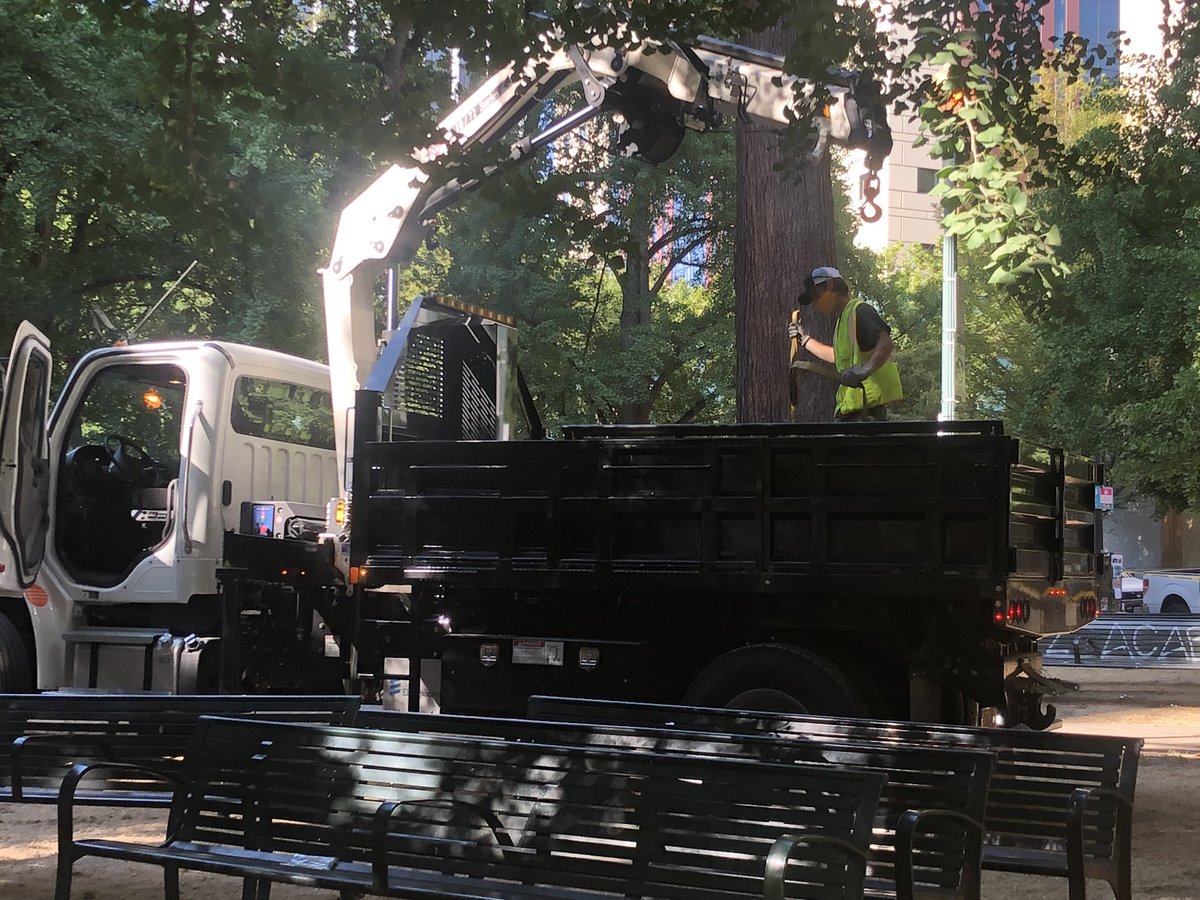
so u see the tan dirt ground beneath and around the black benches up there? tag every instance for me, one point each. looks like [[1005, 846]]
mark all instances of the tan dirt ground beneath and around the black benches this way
[[1162, 706]]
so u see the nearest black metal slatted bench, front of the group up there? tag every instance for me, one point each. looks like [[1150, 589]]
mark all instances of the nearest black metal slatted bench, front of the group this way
[[381, 813]]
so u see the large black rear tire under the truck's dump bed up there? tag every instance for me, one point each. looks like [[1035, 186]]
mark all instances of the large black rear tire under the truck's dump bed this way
[[778, 679]]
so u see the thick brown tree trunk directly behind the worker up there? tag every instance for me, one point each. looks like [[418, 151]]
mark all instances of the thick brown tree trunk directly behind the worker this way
[[785, 229]]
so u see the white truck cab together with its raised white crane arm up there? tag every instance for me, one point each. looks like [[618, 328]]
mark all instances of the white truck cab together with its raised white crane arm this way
[[123, 511]]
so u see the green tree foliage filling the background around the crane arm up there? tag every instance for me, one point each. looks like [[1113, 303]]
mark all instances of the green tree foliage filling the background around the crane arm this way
[[137, 137]]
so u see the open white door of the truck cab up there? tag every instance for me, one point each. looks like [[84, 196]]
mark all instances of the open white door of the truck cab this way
[[25, 460]]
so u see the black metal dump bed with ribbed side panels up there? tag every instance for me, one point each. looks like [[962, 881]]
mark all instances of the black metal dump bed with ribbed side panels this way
[[826, 512]]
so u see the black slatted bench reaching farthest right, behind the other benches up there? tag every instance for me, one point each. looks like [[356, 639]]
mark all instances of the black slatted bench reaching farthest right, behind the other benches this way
[[1059, 805]]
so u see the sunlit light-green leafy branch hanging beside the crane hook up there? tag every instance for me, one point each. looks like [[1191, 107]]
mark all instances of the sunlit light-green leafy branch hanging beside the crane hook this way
[[971, 73]]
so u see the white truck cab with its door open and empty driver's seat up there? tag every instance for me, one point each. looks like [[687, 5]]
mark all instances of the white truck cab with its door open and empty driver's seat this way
[[116, 505]]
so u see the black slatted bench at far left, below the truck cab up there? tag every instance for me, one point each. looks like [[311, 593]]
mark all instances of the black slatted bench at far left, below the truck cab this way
[[44, 735]]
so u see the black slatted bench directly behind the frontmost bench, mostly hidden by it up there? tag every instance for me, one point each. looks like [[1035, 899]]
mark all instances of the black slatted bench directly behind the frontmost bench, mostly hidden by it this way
[[928, 826]]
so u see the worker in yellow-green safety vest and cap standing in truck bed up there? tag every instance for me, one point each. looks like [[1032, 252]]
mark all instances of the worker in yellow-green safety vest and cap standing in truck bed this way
[[861, 352]]
